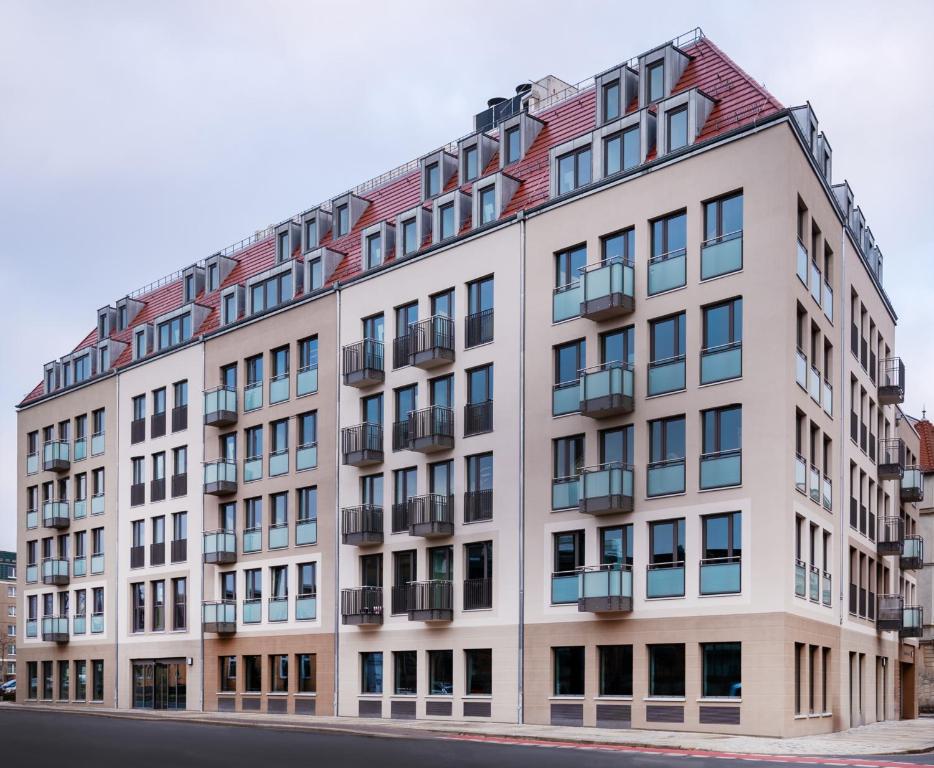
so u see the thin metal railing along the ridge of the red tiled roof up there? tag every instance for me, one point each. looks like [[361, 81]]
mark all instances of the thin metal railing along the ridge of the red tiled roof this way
[[541, 105]]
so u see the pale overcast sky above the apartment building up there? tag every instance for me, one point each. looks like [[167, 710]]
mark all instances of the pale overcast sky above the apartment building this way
[[137, 138]]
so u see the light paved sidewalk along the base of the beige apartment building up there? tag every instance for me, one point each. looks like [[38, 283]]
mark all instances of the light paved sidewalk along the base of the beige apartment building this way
[[886, 738]]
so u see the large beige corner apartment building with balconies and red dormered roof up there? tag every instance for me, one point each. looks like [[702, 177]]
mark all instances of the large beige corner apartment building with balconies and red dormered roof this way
[[689, 501]]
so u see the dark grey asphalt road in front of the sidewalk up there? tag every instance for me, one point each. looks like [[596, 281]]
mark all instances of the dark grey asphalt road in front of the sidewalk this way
[[55, 739]]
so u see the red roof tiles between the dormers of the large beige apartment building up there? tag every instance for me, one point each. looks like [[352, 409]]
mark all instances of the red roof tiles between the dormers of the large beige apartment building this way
[[740, 101]]
